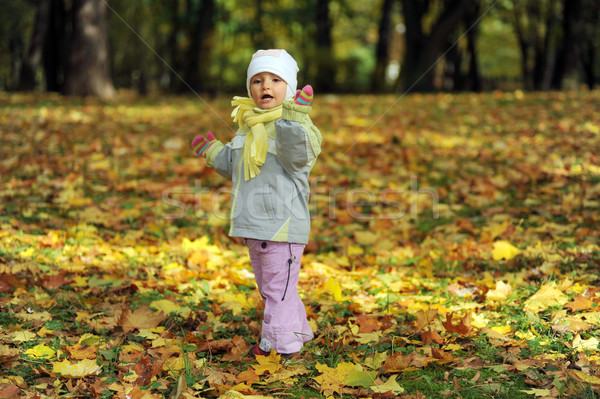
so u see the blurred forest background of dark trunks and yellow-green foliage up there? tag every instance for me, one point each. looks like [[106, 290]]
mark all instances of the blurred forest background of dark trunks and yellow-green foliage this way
[[92, 47]]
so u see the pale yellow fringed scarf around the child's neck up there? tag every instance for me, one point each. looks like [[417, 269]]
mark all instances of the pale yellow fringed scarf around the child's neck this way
[[255, 146]]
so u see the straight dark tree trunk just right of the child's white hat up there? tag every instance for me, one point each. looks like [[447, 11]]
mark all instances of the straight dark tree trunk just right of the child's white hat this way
[[325, 77]]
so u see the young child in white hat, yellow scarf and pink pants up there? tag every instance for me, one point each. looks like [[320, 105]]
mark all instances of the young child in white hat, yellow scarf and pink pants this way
[[269, 161]]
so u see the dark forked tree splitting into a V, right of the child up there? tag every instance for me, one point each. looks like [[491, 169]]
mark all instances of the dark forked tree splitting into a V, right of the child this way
[[424, 47]]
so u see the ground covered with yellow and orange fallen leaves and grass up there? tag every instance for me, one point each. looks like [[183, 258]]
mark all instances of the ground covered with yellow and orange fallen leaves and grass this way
[[454, 251]]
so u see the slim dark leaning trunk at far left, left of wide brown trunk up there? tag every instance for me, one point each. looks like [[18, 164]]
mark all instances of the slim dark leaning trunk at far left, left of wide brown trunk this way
[[32, 62]]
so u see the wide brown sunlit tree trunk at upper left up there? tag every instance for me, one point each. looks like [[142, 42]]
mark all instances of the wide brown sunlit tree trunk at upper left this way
[[88, 72]]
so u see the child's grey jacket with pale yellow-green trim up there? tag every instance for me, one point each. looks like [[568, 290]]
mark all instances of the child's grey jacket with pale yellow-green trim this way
[[273, 205]]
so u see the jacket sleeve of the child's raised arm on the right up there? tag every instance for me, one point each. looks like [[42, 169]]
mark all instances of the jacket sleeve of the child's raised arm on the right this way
[[298, 141]]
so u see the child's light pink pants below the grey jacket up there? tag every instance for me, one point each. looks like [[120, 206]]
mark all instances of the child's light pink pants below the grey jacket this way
[[285, 327]]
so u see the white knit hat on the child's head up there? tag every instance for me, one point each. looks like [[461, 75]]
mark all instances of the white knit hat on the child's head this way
[[278, 62]]
